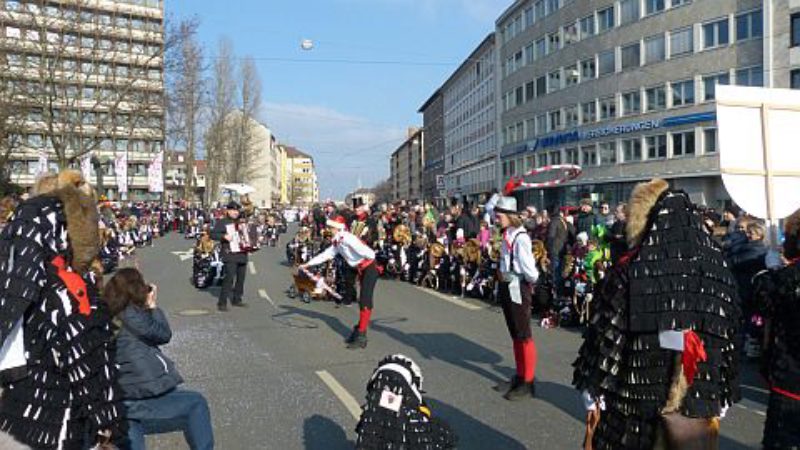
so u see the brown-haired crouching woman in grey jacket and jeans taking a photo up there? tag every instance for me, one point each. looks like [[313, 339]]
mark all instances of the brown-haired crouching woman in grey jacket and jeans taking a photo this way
[[148, 379]]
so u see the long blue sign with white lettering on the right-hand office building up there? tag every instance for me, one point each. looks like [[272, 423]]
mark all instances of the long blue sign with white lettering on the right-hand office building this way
[[555, 140]]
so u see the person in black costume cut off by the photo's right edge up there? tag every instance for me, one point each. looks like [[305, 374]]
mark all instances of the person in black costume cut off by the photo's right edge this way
[[778, 298]]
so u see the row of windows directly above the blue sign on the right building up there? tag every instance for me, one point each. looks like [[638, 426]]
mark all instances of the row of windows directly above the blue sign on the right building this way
[[631, 103]]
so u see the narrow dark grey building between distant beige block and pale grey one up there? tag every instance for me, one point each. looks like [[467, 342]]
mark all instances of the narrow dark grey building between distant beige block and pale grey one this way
[[433, 173]]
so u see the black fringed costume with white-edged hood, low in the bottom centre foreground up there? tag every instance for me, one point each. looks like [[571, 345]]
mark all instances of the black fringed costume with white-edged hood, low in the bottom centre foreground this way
[[408, 424]]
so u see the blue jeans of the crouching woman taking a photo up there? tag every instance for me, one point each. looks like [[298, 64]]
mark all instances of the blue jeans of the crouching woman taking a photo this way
[[177, 410]]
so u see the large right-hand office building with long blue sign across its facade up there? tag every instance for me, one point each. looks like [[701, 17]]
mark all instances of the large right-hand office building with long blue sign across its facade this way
[[625, 88]]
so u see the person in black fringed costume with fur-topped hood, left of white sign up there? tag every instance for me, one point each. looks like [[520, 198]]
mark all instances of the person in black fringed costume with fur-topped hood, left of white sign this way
[[673, 279]]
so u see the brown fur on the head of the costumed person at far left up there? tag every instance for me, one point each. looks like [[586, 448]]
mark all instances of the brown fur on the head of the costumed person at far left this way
[[80, 210]]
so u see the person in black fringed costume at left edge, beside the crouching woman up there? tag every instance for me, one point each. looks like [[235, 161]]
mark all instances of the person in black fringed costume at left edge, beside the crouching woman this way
[[58, 378]]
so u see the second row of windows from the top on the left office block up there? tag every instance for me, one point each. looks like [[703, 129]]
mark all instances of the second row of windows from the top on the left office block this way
[[83, 41]]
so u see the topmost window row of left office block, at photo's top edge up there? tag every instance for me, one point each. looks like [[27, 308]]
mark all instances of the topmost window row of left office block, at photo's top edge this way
[[87, 15]]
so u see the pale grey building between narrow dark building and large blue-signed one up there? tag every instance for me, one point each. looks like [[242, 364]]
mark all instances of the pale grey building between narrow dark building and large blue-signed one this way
[[470, 117]]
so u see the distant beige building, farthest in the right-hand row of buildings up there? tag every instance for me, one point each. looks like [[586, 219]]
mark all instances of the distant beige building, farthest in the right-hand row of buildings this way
[[406, 167]]
